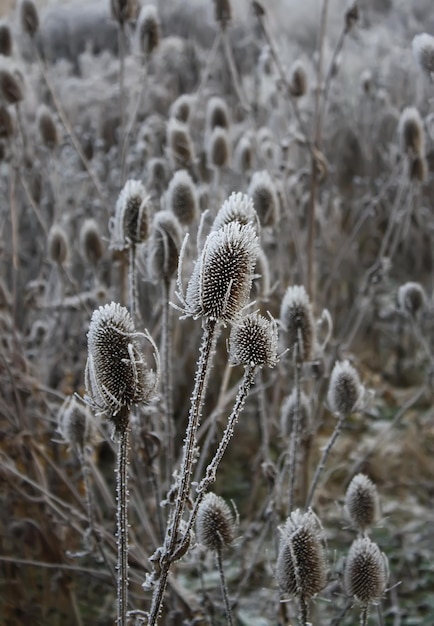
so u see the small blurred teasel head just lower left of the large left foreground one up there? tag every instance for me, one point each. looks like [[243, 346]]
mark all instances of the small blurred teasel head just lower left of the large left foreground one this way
[[73, 423]]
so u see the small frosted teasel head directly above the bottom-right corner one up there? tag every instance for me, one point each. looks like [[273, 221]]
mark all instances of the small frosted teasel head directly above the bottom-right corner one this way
[[362, 503]]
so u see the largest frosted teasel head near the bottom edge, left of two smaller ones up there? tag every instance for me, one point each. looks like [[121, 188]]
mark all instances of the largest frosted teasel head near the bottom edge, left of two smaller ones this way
[[301, 568]]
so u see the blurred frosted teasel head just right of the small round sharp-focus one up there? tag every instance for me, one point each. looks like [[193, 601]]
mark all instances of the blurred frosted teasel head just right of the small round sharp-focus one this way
[[297, 319]]
